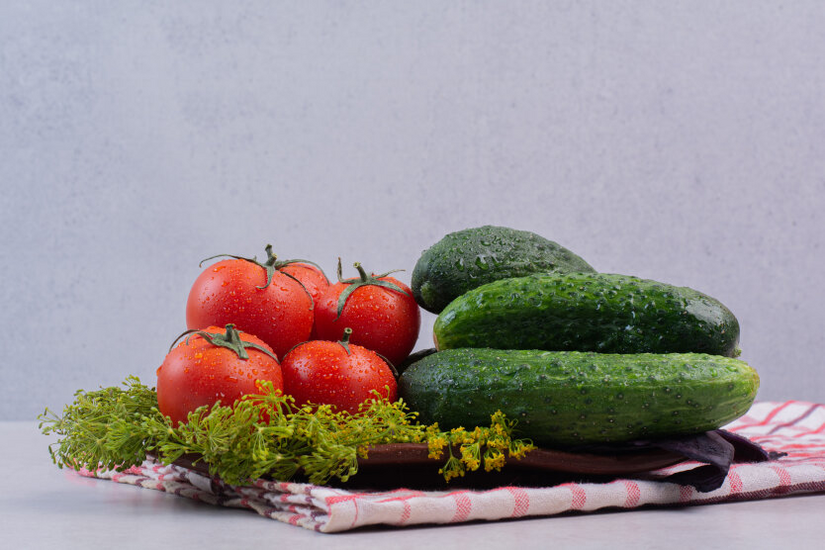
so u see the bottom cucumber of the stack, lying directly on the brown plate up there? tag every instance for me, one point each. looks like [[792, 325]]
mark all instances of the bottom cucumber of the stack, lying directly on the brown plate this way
[[566, 399]]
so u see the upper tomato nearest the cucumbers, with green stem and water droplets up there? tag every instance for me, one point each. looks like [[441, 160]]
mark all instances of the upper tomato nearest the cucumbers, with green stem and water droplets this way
[[381, 311]]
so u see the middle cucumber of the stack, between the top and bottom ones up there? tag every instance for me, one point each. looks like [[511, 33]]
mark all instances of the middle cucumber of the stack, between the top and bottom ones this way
[[600, 312]]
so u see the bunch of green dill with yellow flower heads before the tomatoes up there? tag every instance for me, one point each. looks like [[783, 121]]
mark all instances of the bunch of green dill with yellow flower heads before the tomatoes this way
[[260, 435]]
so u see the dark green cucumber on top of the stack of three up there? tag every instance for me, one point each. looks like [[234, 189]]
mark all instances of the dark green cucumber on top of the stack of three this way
[[466, 259]]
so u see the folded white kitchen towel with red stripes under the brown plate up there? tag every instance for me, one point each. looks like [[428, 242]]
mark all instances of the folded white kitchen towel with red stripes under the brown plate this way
[[794, 429]]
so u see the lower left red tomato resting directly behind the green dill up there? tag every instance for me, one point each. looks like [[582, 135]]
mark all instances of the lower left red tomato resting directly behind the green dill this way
[[199, 372]]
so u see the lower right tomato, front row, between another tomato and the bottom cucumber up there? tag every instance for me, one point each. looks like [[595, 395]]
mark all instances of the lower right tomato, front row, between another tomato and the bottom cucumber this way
[[336, 373]]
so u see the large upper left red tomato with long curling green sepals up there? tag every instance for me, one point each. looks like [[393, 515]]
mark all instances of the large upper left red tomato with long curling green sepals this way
[[257, 297]]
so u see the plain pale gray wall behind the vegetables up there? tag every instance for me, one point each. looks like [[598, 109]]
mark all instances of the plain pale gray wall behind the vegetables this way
[[680, 141]]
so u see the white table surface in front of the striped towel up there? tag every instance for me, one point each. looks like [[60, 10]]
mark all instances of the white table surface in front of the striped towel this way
[[42, 506]]
